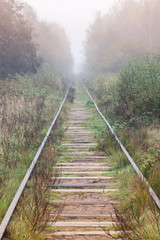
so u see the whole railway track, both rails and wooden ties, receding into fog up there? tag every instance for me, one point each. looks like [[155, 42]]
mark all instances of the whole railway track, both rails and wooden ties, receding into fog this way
[[86, 186]]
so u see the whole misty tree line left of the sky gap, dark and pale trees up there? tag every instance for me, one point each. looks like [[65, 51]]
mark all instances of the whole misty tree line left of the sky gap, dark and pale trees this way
[[26, 43]]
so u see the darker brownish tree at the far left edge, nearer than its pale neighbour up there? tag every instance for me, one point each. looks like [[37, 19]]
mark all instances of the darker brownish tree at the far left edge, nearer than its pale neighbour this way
[[17, 50]]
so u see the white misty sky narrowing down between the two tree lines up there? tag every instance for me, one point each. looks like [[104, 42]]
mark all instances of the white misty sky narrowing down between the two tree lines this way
[[74, 16]]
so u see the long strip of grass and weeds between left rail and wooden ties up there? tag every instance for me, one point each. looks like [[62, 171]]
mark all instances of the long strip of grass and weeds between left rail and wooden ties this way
[[33, 213]]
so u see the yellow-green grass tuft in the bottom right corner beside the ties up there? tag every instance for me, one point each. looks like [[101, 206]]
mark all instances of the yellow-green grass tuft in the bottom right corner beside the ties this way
[[134, 226]]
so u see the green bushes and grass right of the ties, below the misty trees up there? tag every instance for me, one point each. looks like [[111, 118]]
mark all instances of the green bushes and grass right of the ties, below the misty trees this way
[[130, 101]]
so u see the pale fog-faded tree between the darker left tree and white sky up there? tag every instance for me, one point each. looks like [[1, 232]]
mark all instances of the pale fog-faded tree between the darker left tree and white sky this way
[[54, 47]]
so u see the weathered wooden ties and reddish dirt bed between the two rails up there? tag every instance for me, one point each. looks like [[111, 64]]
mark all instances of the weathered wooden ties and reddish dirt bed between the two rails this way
[[87, 186]]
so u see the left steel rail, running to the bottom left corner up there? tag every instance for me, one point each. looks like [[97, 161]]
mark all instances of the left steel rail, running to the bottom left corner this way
[[19, 192]]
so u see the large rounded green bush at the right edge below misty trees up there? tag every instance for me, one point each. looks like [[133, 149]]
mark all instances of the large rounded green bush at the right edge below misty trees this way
[[138, 89]]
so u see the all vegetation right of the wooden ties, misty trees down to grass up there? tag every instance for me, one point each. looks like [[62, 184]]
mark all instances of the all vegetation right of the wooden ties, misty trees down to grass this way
[[129, 98]]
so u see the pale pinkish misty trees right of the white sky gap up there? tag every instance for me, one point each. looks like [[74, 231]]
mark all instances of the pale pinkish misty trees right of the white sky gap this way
[[130, 30]]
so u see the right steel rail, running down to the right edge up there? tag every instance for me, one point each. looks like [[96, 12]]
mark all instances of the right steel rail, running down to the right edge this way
[[137, 170]]
